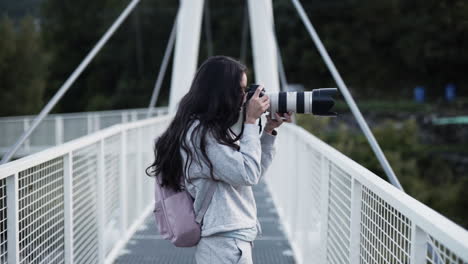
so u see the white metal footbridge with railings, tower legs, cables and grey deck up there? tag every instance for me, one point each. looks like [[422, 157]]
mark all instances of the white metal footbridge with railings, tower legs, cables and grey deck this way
[[78, 192]]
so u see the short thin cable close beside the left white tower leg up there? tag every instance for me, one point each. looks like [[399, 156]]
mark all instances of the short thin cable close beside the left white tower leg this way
[[162, 70]]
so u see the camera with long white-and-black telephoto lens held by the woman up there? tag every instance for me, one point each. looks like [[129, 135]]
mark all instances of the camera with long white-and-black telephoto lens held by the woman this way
[[317, 102]]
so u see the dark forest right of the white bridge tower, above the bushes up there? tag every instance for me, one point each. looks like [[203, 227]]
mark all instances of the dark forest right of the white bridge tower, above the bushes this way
[[381, 48]]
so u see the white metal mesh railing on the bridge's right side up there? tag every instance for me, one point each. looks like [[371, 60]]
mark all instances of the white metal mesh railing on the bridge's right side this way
[[336, 211]]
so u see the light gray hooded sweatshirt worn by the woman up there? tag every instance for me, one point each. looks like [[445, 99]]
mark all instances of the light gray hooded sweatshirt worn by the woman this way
[[233, 205]]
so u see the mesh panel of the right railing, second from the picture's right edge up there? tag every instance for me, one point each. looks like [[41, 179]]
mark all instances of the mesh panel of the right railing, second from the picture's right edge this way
[[385, 232]]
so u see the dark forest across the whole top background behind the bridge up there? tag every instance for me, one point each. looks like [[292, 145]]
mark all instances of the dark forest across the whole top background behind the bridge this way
[[382, 48]]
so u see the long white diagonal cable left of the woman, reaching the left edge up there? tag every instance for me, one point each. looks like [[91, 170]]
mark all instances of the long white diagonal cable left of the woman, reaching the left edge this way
[[64, 88]]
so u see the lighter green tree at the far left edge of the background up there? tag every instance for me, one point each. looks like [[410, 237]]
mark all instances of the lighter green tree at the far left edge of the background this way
[[23, 67]]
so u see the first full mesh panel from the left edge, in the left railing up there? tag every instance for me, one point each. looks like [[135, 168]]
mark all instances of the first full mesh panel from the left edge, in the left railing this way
[[41, 213]]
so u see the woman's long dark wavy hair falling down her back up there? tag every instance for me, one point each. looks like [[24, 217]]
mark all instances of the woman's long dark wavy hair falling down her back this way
[[214, 98]]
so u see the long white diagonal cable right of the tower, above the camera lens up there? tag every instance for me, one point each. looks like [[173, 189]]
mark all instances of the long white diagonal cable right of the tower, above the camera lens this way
[[347, 95]]
